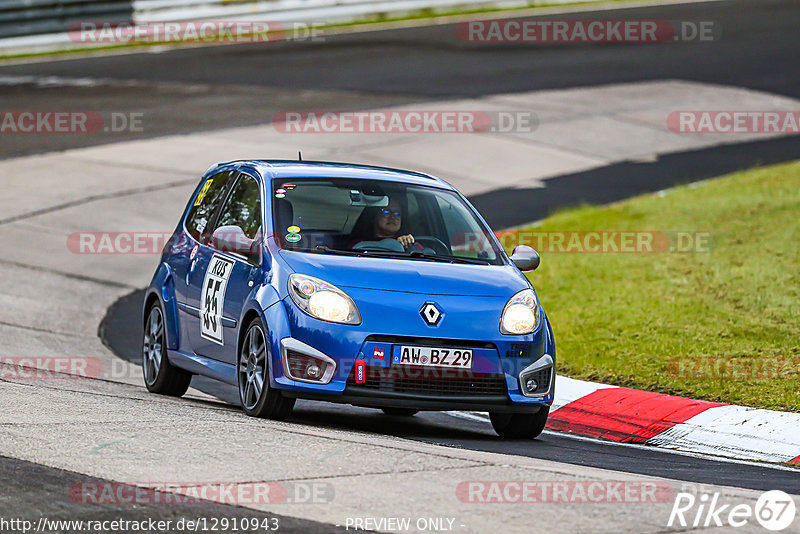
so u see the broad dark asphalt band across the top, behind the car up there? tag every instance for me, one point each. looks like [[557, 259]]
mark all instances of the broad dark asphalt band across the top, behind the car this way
[[757, 49]]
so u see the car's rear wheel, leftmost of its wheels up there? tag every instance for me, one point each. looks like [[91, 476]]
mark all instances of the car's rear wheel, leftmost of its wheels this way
[[159, 375]]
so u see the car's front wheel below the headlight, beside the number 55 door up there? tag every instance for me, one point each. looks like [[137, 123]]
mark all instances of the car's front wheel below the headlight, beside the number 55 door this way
[[257, 398]]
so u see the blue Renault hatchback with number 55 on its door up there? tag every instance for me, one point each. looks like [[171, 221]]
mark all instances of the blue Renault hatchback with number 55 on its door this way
[[346, 283]]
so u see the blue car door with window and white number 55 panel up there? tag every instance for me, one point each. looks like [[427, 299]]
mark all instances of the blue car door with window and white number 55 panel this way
[[223, 279]]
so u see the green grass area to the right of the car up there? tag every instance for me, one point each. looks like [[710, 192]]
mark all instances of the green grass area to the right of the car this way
[[652, 321]]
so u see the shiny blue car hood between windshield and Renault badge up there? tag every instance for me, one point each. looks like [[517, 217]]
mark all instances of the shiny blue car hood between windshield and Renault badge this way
[[412, 276]]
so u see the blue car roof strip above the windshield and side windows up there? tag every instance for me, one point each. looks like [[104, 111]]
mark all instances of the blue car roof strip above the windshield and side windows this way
[[270, 169]]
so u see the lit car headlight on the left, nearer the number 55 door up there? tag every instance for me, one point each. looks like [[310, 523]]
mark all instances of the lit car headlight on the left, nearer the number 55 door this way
[[322, 300]]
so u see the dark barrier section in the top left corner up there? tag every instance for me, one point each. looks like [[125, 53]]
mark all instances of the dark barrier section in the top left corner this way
[[30, 17]]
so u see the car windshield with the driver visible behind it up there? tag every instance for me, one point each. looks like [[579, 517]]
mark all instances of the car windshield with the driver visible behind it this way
[[378, 218]]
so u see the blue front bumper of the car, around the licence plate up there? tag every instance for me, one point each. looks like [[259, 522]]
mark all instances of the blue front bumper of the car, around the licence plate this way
[[497, 358]]
